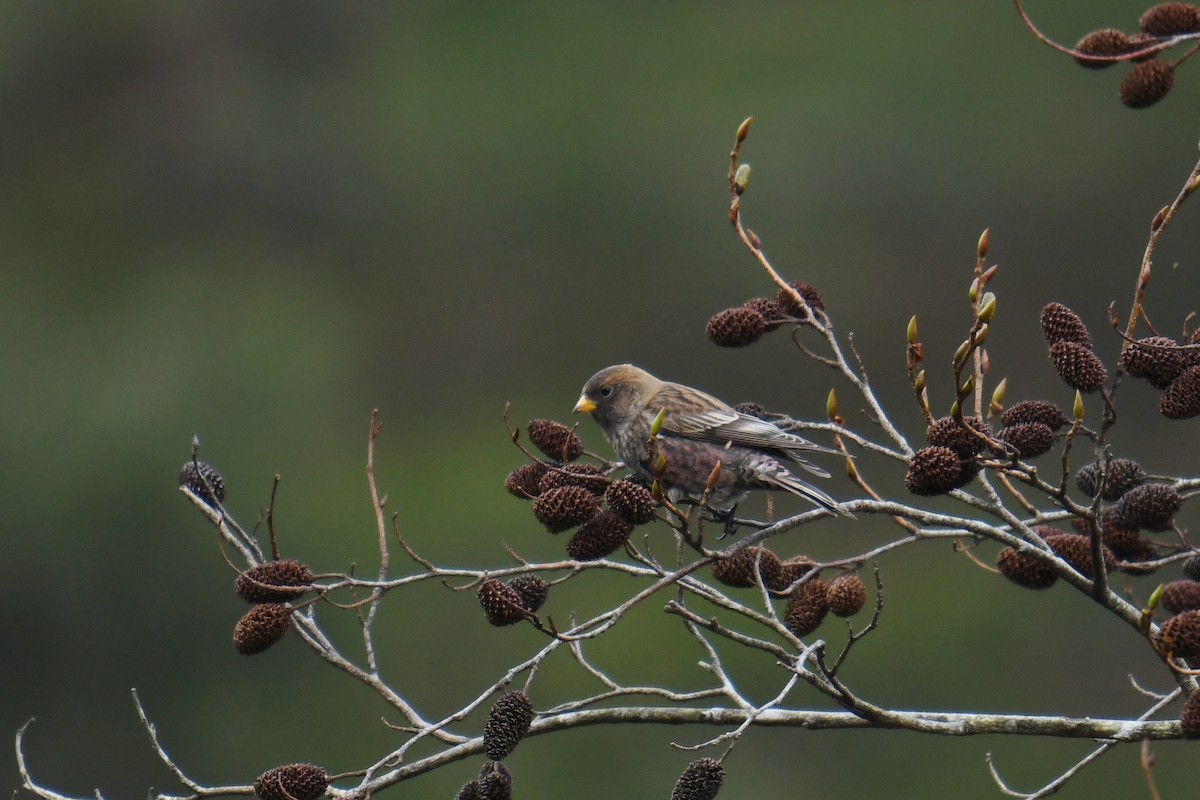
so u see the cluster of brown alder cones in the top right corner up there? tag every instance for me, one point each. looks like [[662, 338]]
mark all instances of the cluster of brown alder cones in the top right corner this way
[[1161, 27]]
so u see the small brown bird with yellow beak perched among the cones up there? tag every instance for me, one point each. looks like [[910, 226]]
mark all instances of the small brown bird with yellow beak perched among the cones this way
[[698, 434]]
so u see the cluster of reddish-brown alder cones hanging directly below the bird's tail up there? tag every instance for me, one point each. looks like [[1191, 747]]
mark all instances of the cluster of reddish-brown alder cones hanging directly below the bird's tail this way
[[799, 579]]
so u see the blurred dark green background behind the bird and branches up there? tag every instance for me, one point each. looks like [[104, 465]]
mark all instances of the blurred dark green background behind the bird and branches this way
[[257, 222]]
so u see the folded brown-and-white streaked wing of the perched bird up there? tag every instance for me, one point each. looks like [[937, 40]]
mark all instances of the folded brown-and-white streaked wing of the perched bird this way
[[697, 416]]
